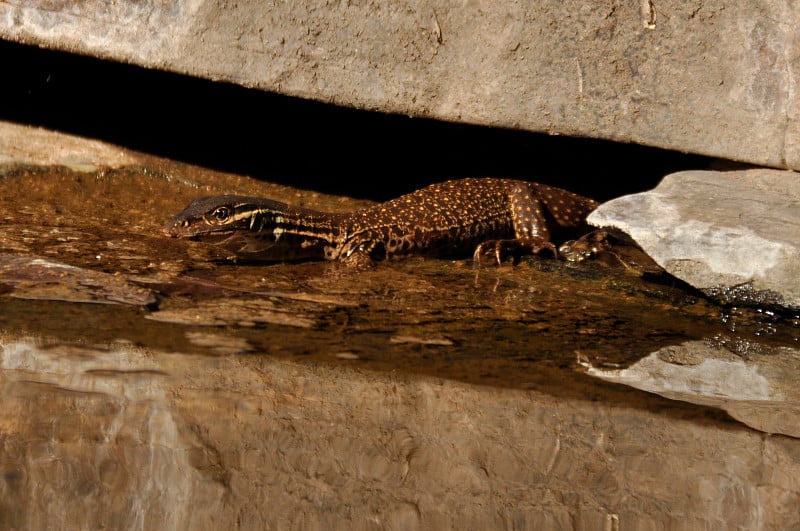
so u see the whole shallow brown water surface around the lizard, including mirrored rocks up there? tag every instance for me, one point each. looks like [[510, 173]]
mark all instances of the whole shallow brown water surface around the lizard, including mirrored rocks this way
[[421, 393]]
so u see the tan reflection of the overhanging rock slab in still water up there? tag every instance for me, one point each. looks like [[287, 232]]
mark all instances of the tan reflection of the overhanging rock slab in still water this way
[[161, 440]]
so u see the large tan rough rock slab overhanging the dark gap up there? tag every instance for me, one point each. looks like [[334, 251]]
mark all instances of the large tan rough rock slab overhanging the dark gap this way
[[709, 77]]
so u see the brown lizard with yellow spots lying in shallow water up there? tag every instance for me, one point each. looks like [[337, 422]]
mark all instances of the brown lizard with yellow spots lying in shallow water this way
[[482, 216]]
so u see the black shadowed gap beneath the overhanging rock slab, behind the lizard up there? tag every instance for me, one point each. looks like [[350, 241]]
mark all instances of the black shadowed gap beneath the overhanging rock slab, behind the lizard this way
[[306, 144]]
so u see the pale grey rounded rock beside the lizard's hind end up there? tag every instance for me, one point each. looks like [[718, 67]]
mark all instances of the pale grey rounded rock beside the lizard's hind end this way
[[734, 235]]
